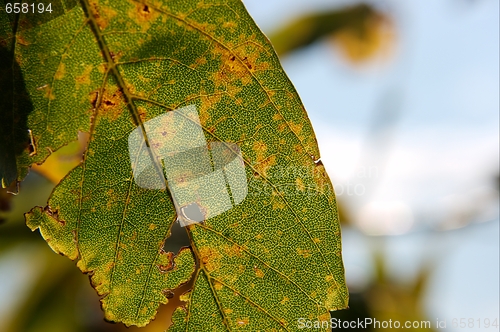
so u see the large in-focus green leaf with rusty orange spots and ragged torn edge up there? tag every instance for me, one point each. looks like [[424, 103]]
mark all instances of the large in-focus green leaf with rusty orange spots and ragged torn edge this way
[[107, 67]]
